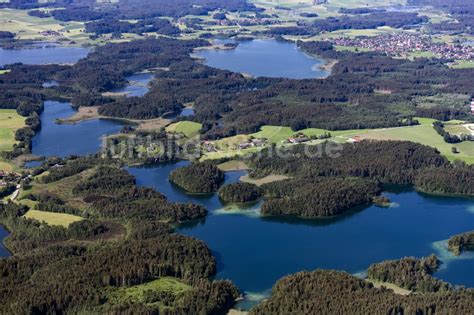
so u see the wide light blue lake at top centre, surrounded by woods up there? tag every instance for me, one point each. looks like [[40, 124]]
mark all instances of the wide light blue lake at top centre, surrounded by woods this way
[[266, 58]]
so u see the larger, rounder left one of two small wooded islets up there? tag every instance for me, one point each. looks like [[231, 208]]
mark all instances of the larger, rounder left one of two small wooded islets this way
[[198, 177]]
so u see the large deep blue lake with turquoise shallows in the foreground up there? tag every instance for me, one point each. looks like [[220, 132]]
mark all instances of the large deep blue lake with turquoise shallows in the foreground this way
[[254, 252]]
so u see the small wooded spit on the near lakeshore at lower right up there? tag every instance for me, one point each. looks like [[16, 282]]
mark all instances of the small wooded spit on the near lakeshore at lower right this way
[[409, 273]]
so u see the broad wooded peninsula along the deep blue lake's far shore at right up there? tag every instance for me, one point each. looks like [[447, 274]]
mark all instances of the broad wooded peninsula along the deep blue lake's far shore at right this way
[[324, 185]]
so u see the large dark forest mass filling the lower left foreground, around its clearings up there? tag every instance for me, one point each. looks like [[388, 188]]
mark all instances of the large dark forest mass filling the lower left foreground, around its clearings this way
[[123, 241]]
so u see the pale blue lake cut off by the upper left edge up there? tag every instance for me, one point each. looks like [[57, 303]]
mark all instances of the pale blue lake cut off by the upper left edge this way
[[42, 55]]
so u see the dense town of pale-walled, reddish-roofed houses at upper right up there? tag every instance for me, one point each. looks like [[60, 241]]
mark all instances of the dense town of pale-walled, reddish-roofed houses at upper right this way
[[402, 44]]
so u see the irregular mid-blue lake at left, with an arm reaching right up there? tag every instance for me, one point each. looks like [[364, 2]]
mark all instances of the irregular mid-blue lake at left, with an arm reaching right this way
[[66, 139]]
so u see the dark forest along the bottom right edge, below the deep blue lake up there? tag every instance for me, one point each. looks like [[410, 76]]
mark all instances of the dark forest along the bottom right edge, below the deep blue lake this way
[[333, 292]]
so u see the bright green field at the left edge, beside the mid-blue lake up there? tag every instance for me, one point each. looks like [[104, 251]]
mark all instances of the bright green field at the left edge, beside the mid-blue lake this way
[[10, 121]]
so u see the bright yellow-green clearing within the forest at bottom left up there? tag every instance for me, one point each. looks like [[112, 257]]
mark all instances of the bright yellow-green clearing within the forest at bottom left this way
[[139, 293]]
